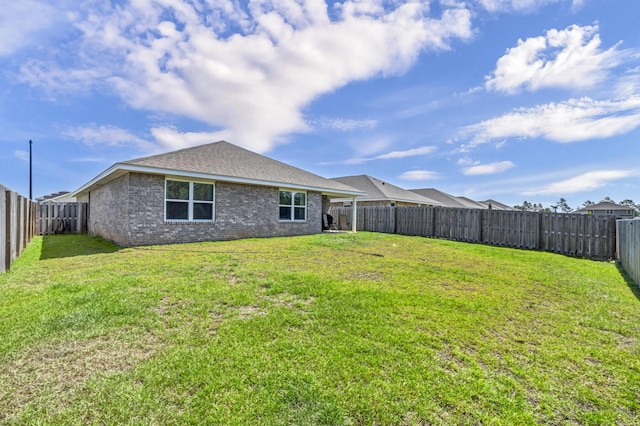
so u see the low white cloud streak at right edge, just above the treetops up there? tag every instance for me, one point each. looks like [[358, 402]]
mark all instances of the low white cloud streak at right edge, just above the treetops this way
[[584, 182]]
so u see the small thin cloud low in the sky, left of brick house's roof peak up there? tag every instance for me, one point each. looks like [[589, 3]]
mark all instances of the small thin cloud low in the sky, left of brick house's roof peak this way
[[93, 135]]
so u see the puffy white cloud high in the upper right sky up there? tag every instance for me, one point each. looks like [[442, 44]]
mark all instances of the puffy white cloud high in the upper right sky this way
[[569, 58]]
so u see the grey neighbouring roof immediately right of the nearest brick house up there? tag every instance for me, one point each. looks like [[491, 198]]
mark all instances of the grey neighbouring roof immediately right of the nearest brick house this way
[[378, 190]]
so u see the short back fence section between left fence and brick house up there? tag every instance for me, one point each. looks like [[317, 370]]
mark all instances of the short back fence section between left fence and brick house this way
[[61, 218]]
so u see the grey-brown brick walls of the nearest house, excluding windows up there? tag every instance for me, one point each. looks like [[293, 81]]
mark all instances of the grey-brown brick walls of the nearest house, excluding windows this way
[[241, 211]]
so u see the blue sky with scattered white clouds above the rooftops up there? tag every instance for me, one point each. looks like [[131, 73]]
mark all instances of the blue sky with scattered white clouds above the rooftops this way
[[506, 99]]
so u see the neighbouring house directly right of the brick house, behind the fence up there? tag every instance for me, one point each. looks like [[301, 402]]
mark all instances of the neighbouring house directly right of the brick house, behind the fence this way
[[380, 193]]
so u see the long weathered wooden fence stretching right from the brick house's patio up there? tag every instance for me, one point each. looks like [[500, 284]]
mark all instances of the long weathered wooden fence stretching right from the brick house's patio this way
[[579, 235]]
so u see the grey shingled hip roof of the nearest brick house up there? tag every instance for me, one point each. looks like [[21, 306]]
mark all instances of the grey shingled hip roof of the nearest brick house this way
[[225, 162]]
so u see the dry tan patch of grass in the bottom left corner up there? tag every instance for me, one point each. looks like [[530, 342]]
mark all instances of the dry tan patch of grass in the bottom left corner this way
[[49, 376]]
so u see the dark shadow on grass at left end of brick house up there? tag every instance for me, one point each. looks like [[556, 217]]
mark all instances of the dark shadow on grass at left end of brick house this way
[[59, 246]]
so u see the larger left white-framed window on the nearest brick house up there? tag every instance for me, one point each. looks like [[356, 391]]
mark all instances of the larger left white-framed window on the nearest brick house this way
[[188, 201]]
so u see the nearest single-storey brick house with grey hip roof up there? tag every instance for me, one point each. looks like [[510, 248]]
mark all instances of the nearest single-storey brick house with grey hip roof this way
[[216, 191]]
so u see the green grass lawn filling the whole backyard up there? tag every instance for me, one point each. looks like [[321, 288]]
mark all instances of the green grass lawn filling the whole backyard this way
[[326, 329]]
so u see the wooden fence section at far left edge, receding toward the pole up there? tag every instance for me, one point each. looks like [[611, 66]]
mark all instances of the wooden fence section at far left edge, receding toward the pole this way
[[17, 225]]
